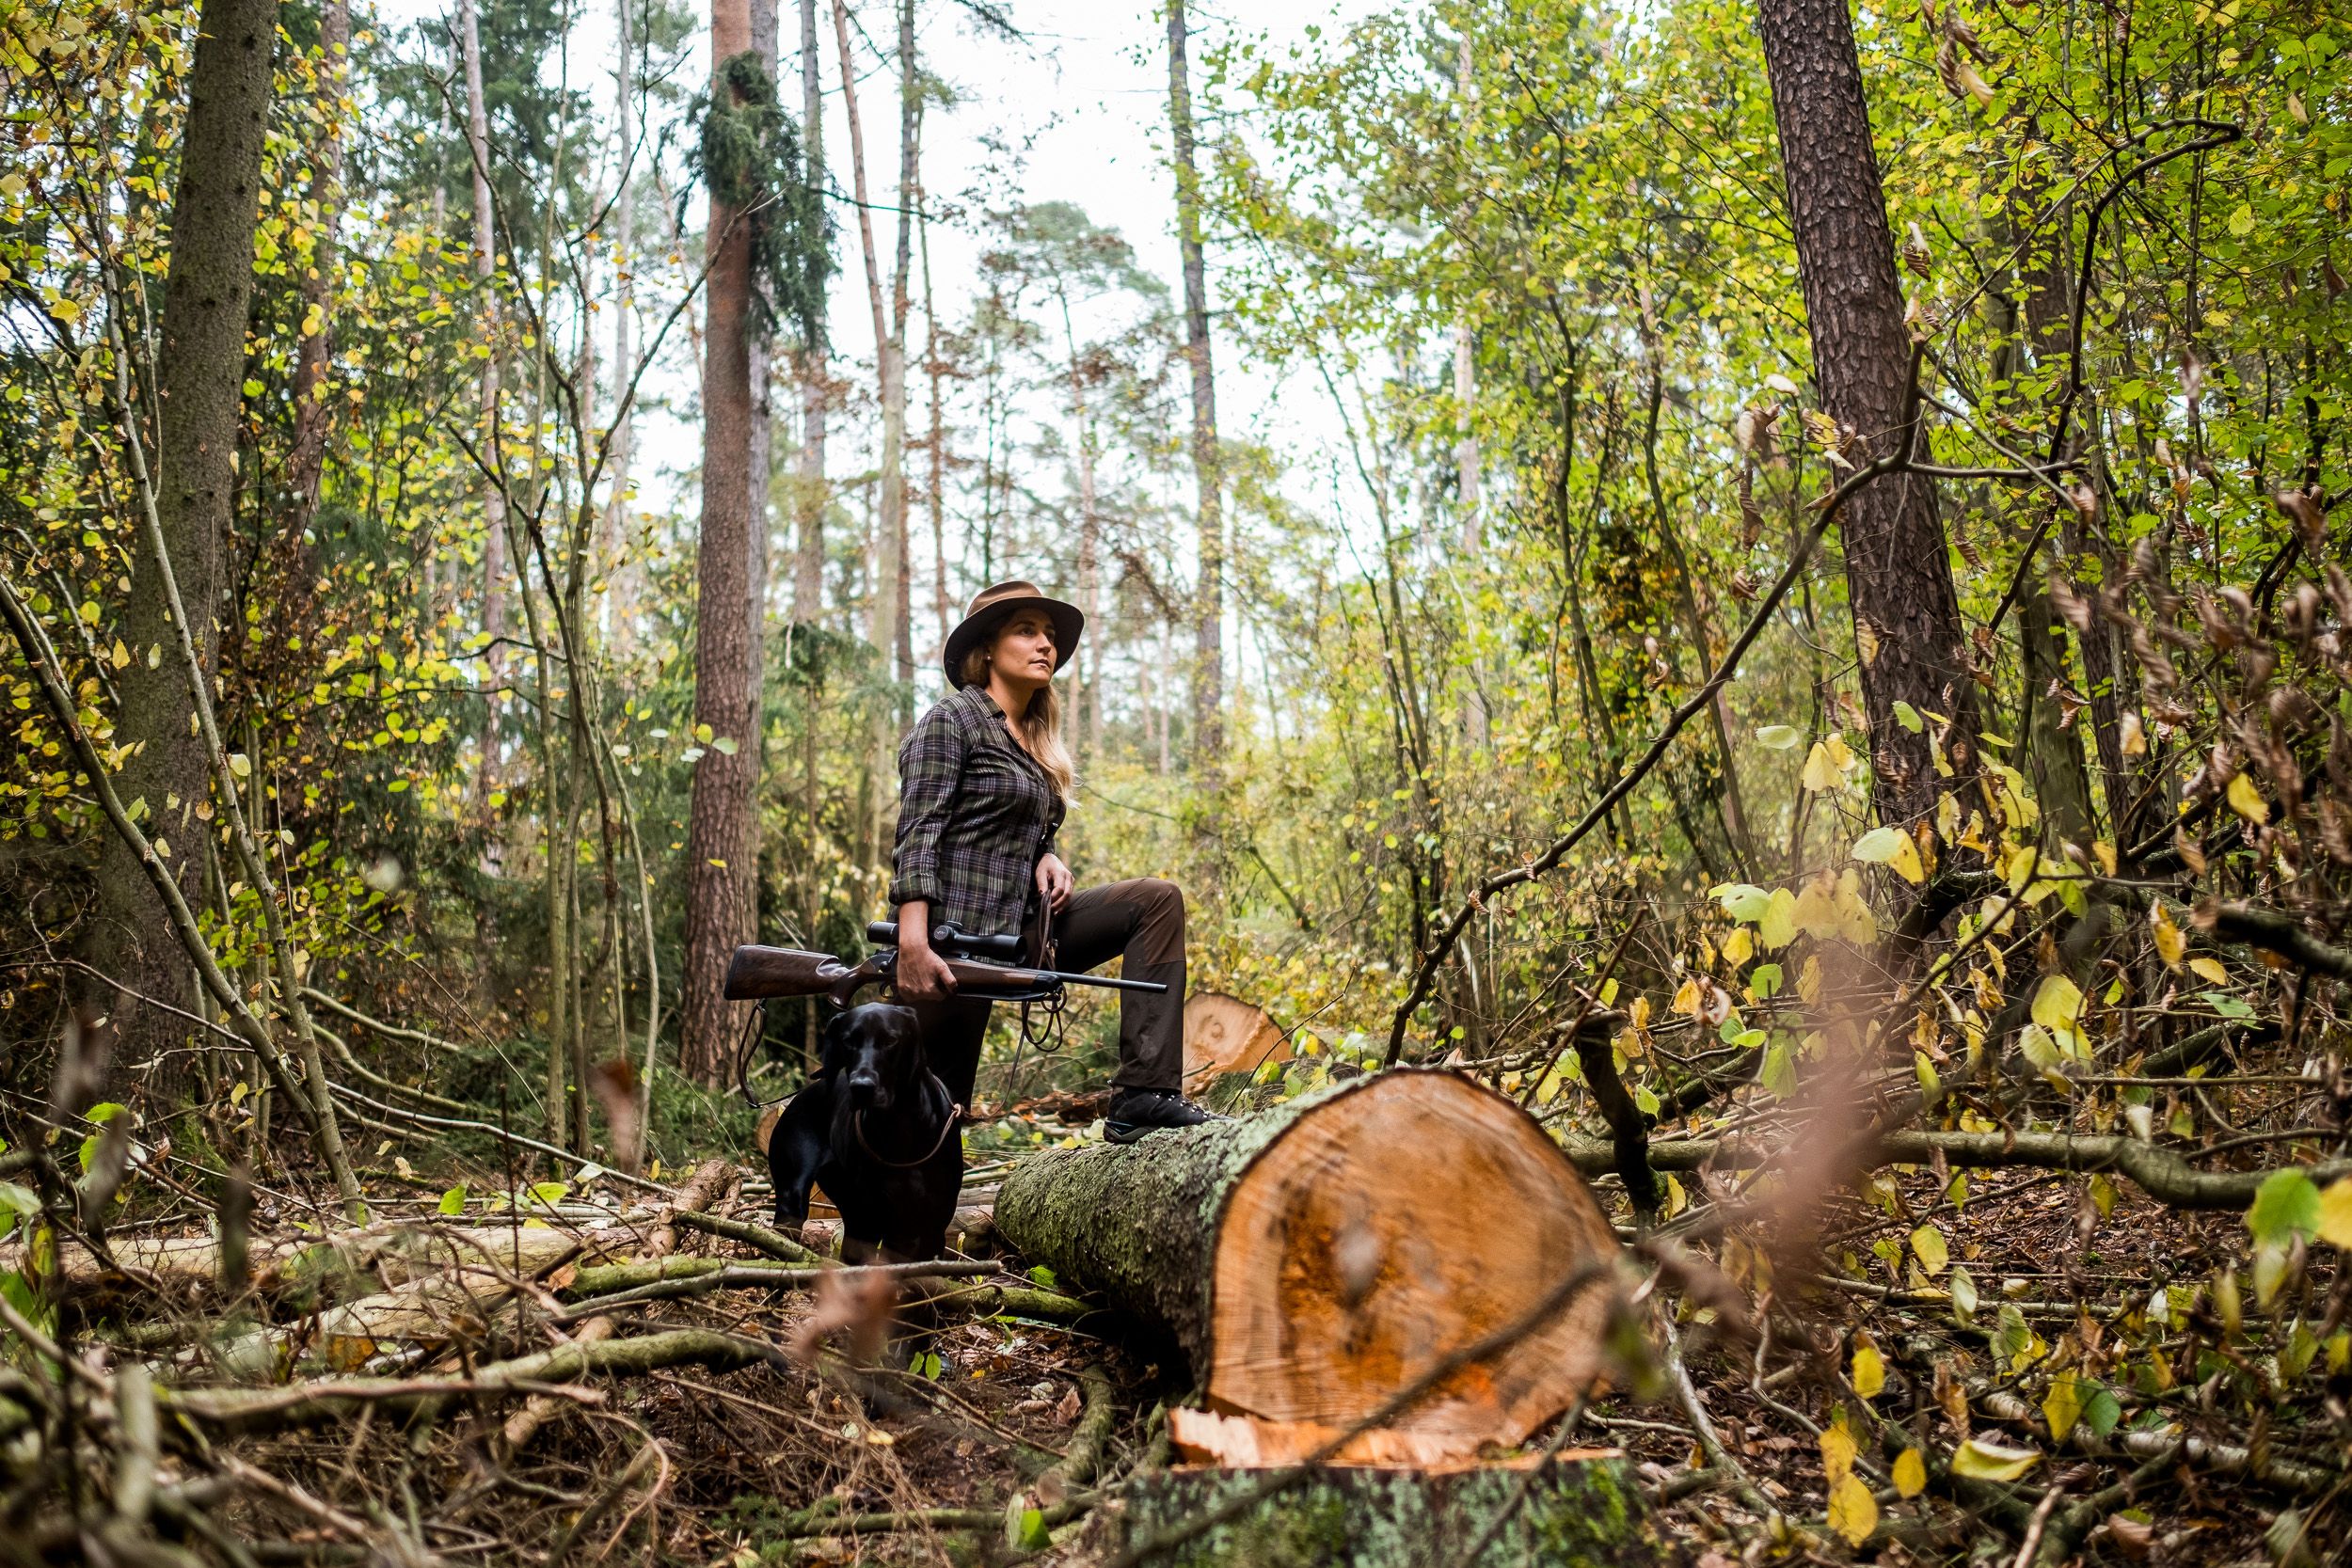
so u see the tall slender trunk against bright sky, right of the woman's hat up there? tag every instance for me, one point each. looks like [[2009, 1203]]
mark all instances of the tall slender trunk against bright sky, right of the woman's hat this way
[[1208, 478]]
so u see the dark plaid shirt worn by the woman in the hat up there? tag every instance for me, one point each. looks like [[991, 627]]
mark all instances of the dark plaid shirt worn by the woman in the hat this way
[[975, 817]]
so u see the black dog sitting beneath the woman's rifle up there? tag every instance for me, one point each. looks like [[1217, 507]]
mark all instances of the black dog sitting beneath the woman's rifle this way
[[878, 1130]]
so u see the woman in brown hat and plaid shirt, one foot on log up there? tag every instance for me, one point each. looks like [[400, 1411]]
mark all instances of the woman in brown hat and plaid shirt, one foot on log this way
[[984, 782]]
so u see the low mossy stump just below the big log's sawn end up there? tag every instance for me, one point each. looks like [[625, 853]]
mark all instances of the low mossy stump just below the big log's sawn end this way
[[1572, 1513]]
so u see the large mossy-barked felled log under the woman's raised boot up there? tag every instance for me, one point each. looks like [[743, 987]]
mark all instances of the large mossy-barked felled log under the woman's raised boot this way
[[1321, 1257]]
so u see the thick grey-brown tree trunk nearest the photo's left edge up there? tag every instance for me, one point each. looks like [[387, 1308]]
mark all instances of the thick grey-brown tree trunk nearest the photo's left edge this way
[[199, 375]]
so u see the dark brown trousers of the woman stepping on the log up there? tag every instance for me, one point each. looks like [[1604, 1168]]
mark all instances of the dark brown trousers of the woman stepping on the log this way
[[1123, 920]]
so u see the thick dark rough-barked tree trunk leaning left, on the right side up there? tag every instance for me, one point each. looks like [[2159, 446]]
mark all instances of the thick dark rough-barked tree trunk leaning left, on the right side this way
[[1899, 577]]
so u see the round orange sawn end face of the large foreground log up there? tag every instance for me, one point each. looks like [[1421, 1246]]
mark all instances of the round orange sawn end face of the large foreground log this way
[[1389, 1228]]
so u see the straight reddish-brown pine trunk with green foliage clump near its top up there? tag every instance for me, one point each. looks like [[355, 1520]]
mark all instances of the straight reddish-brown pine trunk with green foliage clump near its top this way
[[721, 824]]
